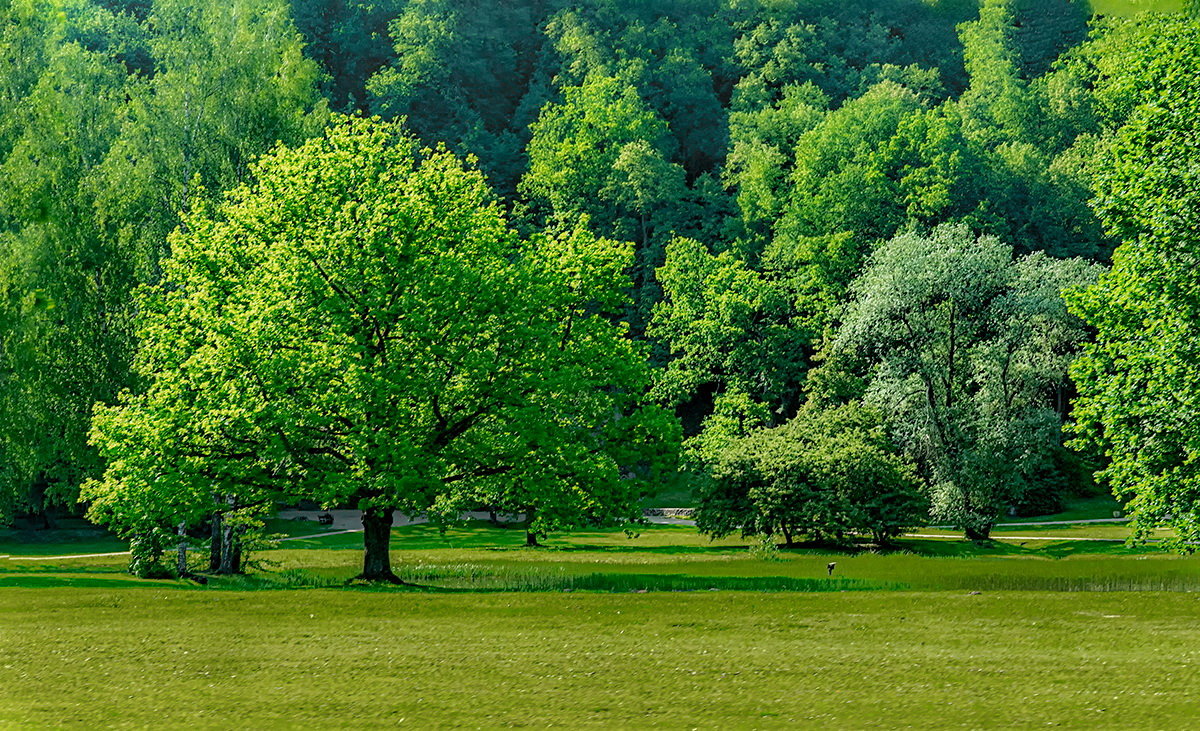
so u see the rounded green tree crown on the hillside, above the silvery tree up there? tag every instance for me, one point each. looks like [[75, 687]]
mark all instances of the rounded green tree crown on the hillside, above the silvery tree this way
[[879, 164]]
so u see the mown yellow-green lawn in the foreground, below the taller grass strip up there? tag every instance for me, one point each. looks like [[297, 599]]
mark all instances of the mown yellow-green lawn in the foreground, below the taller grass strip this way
[[153, 658]]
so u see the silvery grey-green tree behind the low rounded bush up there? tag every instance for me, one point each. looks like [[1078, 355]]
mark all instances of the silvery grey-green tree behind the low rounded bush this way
[[967, 353]]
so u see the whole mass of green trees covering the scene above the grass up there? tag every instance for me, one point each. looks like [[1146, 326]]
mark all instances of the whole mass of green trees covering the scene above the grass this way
[[832, 267]]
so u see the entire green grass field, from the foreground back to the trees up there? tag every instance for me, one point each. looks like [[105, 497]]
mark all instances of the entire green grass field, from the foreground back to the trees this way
[[603, 630]]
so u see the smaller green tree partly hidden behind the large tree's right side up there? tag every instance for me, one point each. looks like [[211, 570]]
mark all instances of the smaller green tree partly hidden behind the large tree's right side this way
[[583, 448]]
